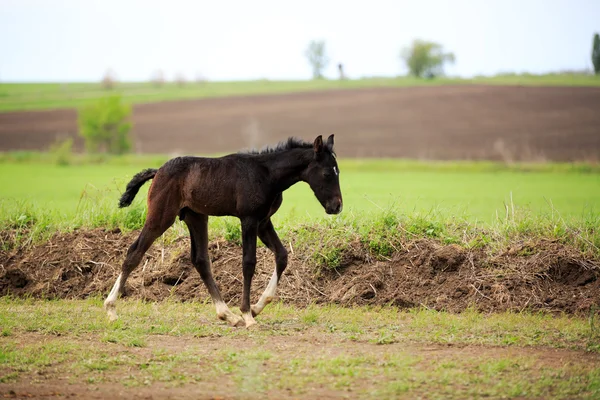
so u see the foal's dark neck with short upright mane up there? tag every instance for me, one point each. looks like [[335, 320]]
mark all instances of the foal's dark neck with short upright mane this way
[[287, 168]]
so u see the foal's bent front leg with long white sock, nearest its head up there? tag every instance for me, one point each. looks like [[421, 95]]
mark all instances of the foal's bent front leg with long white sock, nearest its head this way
[[267, 234]]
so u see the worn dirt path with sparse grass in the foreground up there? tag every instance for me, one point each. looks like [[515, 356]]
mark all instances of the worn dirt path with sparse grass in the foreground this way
[[226, 367]]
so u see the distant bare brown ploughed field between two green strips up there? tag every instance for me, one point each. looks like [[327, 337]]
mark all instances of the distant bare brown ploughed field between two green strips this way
[[446, 122]]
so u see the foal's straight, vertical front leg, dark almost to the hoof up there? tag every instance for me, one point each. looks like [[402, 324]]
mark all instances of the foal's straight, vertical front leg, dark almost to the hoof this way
[[249, 233]]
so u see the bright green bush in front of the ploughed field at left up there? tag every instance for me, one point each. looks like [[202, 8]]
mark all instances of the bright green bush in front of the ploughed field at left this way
[[104, 125]]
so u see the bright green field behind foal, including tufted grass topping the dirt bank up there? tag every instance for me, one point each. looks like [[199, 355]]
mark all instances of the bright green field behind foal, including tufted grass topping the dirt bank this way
[[450, 201]]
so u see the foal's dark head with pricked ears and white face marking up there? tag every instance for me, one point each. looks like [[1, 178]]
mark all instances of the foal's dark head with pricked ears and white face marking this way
[[322, 175]]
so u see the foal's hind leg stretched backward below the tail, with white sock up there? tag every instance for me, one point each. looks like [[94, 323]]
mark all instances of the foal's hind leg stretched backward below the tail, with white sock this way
[[157, 222]]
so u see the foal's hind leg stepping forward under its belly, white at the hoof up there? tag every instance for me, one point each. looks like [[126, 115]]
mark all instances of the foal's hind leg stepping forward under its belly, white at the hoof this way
[[198, 226]]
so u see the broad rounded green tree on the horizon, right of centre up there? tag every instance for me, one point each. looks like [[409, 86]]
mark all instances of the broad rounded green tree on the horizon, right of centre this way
[[425, 59]]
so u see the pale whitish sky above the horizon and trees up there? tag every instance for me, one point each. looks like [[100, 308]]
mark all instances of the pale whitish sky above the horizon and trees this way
[[78, 40]]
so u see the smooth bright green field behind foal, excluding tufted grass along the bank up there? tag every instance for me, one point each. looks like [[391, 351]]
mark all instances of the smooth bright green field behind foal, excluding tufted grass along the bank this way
[[469, 191]]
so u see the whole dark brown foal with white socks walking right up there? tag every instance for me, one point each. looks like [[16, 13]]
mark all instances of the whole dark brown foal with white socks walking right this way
[[245, 185]]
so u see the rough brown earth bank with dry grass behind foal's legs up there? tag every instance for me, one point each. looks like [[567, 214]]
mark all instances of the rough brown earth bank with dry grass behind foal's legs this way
[[544, 276]]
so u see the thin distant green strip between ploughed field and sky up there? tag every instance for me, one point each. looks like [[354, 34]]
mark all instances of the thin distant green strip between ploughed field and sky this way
[[38, 96]]
